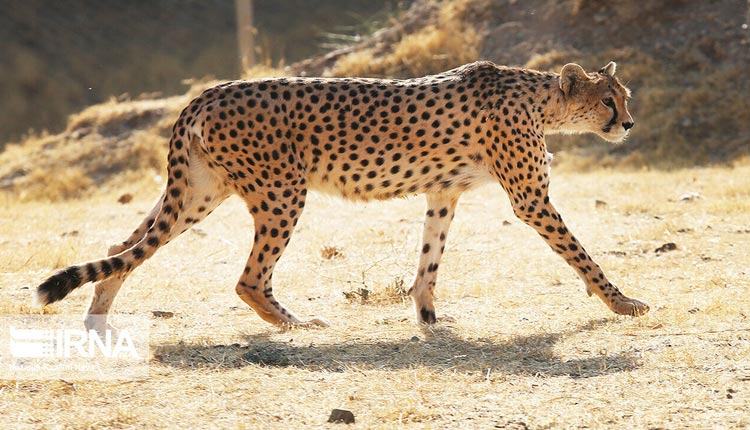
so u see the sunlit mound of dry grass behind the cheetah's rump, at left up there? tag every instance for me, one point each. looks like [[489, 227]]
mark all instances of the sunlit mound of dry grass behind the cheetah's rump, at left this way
[[113, 144]]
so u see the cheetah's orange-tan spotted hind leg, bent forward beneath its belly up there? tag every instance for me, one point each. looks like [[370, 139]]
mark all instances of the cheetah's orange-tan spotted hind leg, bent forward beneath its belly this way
[[274, 224]]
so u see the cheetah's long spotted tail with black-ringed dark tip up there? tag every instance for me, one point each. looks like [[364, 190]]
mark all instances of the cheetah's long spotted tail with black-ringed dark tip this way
[[59, 285]]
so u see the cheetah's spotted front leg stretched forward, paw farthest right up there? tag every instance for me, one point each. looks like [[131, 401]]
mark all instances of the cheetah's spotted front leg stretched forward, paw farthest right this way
[[539, 213]]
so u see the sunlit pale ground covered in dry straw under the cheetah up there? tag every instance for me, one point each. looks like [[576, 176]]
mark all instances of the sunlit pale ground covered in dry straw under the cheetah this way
[[527, 349]]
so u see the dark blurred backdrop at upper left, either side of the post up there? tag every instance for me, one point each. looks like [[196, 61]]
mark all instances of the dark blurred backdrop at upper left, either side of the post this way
[[61, 56]]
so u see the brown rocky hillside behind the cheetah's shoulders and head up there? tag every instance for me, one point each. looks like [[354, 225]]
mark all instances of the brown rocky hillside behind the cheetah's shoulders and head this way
[[686, 62]]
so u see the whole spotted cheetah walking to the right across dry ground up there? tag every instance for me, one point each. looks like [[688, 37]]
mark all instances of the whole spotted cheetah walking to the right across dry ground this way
[[272, 140]]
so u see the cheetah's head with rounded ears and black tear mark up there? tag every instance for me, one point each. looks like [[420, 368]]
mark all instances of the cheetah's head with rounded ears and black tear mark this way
[[595, 102]]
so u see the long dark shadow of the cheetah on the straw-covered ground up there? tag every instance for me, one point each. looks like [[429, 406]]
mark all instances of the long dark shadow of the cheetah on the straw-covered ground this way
[[438, 348]]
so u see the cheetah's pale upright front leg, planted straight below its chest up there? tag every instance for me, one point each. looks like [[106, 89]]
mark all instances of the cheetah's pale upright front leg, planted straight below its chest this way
[[440, 211]]
